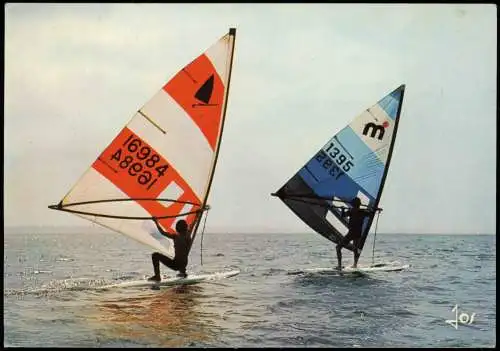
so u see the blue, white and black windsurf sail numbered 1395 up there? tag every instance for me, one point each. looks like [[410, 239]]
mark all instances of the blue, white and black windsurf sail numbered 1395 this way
[[353, 163]]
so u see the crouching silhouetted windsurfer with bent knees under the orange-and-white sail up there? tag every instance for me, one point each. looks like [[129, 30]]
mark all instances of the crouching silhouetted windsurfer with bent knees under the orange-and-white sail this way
[[182, 242]]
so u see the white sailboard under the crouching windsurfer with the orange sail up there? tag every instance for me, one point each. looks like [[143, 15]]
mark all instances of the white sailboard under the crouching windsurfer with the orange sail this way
[[170, 281]]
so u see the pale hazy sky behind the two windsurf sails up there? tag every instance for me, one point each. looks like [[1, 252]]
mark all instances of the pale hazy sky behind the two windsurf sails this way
[[76, 73]]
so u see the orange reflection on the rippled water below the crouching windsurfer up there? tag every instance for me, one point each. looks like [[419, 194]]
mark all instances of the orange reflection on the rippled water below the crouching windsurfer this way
[[166, 318]]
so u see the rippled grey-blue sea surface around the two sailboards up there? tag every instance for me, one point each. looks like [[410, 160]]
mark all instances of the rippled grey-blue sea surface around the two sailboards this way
[[51, 300]]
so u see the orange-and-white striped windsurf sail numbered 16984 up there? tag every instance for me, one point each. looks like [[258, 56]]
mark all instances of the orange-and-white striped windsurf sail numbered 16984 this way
[[162, 163]]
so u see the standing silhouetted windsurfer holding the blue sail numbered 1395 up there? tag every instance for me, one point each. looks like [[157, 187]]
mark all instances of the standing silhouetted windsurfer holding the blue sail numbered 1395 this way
[[356, 216]]
